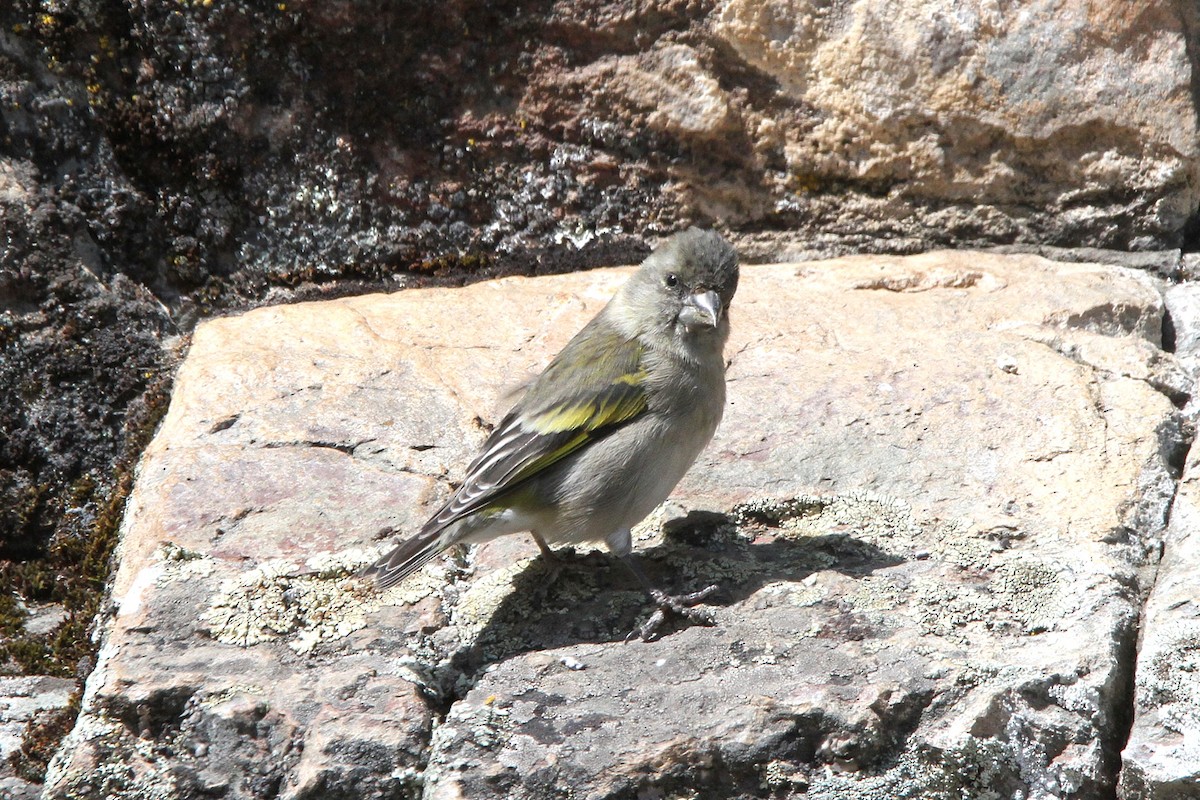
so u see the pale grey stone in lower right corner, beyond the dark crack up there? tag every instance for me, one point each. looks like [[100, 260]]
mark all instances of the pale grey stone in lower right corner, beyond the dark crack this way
[[1162, 761]]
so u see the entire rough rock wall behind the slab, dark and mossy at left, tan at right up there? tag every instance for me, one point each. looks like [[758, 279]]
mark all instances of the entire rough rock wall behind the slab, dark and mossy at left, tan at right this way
[[287, 161]]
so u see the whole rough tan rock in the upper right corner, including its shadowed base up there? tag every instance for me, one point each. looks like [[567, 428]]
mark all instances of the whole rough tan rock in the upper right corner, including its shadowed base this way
[[977, 106]]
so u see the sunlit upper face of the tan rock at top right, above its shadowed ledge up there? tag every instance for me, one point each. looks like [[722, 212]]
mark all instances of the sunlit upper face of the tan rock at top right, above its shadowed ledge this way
[[1025, 68]]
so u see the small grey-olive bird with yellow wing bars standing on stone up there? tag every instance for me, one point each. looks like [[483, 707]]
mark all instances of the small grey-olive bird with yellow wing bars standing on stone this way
[[602, 437]]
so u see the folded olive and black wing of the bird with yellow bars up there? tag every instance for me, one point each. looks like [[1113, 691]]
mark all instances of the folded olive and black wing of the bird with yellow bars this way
[[596, 384]]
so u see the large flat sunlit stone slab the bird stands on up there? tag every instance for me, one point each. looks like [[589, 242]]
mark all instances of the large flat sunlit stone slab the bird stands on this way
[[928, 507]]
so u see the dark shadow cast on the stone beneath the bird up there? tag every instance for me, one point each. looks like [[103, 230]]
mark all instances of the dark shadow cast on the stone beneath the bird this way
[[596, 599]]
